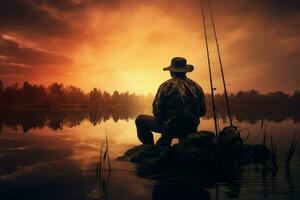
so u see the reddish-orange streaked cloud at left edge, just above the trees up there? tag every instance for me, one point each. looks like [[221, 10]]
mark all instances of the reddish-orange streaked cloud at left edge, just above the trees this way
[[19, 63]]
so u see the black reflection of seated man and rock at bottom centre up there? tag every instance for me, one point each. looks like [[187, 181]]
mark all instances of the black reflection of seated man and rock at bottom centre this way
[[177, 185]]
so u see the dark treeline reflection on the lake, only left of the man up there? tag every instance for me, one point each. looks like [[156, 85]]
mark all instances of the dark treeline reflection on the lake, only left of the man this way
[[56, 120]]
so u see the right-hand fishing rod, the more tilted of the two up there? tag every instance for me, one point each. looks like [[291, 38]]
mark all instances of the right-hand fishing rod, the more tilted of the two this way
[[220, 62]]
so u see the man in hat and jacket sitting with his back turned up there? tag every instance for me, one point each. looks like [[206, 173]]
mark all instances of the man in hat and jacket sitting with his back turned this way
[[177, 107]]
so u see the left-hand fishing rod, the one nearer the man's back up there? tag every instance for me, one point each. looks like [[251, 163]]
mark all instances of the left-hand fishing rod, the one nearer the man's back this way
[[209, 69]]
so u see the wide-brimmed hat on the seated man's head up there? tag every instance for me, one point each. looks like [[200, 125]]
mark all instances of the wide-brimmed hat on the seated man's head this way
[[178, 64]]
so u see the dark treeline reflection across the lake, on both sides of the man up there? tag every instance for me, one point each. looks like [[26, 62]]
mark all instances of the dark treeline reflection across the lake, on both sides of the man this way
[[56, 120]]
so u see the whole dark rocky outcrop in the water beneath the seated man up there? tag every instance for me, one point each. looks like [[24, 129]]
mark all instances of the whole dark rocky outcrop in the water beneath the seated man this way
[[201, 150]]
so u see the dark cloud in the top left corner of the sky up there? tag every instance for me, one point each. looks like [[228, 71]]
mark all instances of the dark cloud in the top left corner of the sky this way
[[22, 16]]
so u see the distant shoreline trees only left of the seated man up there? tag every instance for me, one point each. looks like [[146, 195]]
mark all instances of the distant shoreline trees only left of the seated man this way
[[57, 94]]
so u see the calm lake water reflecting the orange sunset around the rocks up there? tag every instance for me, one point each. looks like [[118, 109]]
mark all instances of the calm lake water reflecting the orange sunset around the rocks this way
[[53, 155]]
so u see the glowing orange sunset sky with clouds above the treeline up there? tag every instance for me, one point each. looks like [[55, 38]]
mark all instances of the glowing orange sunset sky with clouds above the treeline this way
[[123, 44]]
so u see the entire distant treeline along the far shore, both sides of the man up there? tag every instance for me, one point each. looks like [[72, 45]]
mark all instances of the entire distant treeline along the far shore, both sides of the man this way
[[57, 94]]
